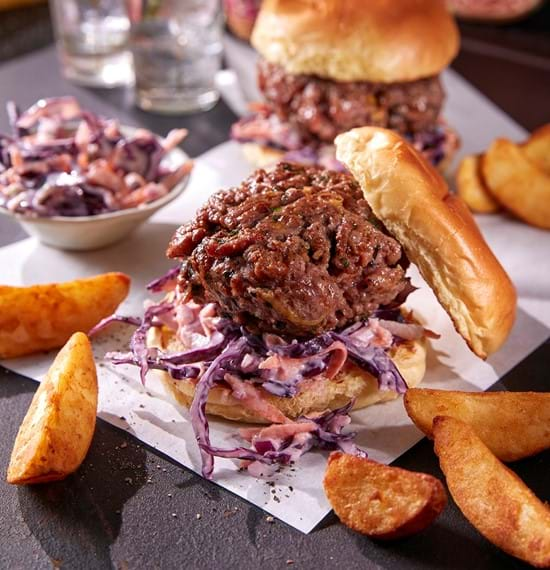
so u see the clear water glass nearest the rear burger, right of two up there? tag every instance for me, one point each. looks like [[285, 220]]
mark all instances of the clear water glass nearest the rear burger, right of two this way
[[177, 51]]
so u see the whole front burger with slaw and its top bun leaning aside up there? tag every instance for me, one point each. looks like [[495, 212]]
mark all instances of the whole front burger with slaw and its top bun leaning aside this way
[[287, 304]]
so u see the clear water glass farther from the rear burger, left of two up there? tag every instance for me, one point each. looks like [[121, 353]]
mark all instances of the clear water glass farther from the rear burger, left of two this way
[[92, 41]]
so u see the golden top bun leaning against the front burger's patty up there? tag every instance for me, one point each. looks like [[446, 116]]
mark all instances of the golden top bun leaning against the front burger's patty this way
[[437, 232]]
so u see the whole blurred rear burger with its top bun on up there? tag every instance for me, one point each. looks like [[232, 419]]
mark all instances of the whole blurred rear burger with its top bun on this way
[[328, 66]]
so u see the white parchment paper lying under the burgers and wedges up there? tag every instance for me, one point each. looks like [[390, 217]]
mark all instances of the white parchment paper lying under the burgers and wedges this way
[[383, 430]]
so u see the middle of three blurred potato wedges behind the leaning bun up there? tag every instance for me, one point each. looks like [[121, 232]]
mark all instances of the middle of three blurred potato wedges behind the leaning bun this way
[[517, 183]]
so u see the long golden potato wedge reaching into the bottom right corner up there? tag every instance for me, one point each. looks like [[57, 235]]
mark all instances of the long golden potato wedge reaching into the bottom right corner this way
[[493, 498]]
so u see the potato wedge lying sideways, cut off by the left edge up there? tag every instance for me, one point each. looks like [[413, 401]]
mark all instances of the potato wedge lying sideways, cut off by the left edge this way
[[42, 317]]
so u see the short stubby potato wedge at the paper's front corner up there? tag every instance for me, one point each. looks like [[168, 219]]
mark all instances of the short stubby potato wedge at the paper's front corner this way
[[380, 501]]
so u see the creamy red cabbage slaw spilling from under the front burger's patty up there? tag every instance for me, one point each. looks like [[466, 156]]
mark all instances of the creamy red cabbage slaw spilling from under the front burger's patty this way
[[218, 352]]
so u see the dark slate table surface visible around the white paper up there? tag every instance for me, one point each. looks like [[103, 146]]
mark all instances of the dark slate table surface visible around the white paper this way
[[117, 510]]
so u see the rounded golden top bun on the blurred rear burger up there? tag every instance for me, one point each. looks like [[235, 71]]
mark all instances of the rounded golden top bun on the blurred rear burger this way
[[357, 40]]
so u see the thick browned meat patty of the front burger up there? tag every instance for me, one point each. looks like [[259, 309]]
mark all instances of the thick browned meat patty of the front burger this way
[[295, 251]]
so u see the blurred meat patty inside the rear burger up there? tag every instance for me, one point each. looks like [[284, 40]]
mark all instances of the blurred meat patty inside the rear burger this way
[[326, 108]]
